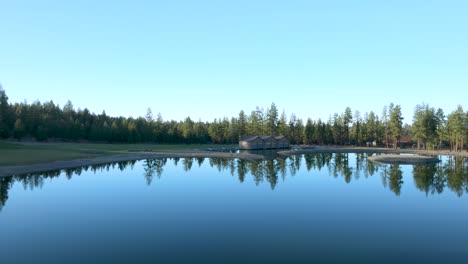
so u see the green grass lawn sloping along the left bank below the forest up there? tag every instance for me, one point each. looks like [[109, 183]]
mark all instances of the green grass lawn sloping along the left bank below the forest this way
[[30, 153]]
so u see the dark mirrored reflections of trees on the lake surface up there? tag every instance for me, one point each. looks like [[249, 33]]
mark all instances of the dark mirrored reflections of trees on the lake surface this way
[[429, 178]]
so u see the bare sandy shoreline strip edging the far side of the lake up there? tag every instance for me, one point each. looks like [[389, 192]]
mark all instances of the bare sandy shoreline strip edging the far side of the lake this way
[[6, 171]]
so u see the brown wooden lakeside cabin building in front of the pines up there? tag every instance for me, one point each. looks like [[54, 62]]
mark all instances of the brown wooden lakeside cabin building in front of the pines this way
[[263, 142]]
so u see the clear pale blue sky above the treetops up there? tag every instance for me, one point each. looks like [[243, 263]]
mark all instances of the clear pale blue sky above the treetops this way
[[209, 59]]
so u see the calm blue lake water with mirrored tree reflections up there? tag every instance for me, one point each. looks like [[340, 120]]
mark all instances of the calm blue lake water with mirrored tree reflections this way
[[314, 208]]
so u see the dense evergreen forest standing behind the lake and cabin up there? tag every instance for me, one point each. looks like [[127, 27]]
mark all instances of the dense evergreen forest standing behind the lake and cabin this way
[[430, 128]]
